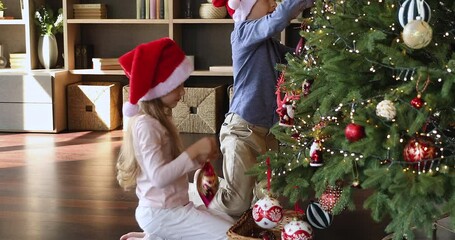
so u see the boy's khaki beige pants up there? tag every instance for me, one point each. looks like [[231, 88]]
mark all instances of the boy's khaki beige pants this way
[[241, 143]]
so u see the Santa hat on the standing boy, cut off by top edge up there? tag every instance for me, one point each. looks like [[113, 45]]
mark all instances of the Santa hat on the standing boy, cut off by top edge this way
[[238, 9]]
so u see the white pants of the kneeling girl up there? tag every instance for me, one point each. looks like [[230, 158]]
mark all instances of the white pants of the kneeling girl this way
[[187, 222]]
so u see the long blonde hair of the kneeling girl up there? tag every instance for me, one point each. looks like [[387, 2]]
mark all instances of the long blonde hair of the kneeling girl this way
[[127, 166]]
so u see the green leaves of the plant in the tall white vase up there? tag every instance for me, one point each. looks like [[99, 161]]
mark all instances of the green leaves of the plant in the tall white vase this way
[[47, 22]]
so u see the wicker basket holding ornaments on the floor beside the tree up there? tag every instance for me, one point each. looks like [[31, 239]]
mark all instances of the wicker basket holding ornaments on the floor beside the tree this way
[[246, 229]]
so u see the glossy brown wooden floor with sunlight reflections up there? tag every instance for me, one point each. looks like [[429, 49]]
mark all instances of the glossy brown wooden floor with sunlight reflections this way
[[62, 186]]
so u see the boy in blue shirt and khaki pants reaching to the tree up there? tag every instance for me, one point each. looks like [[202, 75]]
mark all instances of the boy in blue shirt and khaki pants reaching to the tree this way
[[244, 134]]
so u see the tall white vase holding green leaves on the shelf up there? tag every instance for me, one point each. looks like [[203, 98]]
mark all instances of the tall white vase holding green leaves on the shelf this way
[[47, 51]]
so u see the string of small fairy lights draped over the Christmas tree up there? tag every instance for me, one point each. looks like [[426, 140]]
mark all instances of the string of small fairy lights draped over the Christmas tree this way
[[444, 143]]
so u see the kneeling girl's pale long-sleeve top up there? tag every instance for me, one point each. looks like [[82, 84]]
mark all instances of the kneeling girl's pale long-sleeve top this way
[[163, 181]]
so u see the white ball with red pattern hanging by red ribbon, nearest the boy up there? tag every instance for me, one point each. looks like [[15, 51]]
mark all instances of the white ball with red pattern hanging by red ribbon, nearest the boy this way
[[267, 212]]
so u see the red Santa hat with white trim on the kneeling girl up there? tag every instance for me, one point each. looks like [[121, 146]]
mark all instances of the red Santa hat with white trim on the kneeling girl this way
[[154, 69]]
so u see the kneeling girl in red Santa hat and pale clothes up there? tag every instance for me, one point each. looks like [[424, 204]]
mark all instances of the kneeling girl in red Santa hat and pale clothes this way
[[151, 157]]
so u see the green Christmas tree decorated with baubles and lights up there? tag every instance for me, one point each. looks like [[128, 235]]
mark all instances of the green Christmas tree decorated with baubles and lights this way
[[368, 102]]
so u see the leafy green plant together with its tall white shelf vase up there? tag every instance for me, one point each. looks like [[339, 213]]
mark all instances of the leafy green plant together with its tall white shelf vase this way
[[48, 25]]
